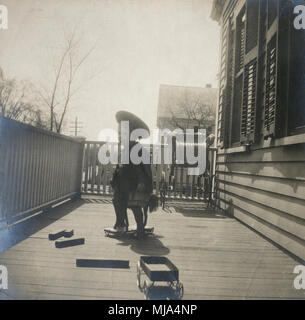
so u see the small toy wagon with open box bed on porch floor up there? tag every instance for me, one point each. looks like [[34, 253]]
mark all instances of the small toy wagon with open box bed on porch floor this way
[[158, 269]]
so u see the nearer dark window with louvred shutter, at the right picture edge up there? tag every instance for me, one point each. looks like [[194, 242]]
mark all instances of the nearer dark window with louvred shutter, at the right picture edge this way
[[284, 105]]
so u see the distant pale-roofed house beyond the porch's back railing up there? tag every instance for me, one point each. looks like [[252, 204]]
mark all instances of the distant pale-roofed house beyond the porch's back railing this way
[[187, 107]]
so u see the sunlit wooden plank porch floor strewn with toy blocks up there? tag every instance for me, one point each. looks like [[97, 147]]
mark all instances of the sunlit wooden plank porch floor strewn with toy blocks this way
[[217, 257]]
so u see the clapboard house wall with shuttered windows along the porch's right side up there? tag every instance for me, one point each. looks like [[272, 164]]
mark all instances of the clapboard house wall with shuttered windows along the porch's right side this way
[[260, 165]]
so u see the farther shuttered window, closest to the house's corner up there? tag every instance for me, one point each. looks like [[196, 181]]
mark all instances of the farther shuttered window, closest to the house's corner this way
[[240, 107]]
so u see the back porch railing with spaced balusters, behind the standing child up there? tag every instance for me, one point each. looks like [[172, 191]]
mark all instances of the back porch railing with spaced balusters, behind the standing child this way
[[171, 181]]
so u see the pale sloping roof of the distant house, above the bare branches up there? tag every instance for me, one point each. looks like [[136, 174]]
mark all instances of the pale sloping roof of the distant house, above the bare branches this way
[[172, 97]]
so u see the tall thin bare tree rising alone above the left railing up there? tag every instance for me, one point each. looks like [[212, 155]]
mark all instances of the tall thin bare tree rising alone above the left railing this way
[[58, 96]]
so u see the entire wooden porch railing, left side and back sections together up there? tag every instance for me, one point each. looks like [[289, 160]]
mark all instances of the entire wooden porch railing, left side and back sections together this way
[[39, 168]]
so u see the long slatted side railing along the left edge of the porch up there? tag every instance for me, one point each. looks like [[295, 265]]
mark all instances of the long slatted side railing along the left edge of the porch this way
[[38, 168]]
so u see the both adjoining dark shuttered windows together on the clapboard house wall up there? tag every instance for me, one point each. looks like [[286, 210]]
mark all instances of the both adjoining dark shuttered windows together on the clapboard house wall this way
[[263, 74]]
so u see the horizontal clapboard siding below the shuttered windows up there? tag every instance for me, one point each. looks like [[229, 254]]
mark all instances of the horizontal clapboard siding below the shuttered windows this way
[[265, 189]]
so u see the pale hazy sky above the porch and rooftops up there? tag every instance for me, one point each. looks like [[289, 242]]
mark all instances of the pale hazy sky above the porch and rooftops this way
[[140, 44]]
